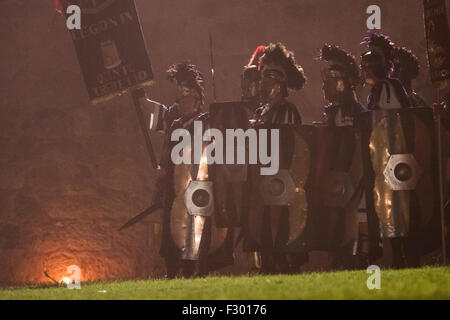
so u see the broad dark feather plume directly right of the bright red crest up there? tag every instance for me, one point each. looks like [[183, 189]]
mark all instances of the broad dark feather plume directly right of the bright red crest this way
[[277, 54]]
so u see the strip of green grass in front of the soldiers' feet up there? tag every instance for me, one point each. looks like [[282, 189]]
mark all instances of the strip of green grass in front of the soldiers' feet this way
[[424, 283]]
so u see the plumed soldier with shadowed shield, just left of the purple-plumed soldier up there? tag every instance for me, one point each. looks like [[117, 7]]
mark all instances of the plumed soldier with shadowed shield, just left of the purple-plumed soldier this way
[[338, 162]]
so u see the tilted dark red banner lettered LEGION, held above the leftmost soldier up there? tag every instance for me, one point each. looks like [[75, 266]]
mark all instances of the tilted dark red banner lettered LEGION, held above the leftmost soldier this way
[[110, 48]]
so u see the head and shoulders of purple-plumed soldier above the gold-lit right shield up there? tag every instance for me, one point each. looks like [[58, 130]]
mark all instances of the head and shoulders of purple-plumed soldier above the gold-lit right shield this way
[[377, 66]]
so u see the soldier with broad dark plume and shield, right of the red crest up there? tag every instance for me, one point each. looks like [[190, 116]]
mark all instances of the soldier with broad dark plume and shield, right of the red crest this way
[[277, 214]]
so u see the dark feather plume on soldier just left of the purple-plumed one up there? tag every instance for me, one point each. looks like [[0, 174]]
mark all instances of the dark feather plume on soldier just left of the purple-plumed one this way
[[342, 62]]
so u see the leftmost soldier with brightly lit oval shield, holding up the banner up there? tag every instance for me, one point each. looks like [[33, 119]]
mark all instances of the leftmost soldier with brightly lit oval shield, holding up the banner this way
[[187, 227]]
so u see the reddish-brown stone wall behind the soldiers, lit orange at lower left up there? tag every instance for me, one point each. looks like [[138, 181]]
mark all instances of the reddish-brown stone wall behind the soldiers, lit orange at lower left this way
[[72, 173]]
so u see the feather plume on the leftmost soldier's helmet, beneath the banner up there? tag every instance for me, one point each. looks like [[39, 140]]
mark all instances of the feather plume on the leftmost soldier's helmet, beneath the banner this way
[[189, 73]]
